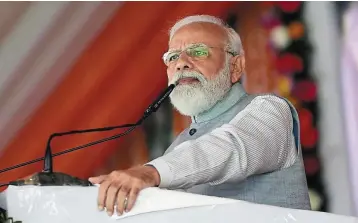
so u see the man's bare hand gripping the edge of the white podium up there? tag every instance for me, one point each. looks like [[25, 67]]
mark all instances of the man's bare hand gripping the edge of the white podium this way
[[123, 187]]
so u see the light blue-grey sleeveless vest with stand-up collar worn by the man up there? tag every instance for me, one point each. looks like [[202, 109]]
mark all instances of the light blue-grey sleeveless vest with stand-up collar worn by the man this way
[[283, 188]]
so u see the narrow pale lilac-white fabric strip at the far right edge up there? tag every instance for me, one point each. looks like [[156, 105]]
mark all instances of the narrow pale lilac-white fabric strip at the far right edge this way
[[349, 83]]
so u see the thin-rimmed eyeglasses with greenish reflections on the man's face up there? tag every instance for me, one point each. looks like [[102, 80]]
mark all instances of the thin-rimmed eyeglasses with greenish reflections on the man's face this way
[[196, 51]]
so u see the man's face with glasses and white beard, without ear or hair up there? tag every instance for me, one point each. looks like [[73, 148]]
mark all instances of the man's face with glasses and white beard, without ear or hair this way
[[198, 61]]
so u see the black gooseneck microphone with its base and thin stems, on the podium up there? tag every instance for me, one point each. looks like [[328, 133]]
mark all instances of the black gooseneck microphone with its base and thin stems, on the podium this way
[[49, 178]]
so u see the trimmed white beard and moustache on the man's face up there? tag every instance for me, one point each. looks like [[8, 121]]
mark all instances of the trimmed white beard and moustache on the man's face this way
[[193, 99]]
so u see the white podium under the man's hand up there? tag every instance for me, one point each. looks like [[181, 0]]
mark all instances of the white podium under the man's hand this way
[[67, 204]]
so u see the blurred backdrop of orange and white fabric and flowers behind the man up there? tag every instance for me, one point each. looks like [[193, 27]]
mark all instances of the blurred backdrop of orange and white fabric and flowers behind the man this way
[[78, 65]]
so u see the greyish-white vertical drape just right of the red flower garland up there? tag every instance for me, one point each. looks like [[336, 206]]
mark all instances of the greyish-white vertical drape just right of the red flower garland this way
[[324, 34]]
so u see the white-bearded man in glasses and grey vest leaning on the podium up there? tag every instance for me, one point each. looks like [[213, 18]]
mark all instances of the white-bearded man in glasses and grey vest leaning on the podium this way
[[238, 146]]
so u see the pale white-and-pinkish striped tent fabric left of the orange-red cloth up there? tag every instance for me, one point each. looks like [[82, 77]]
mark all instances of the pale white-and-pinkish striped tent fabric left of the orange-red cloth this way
[[39, 43]]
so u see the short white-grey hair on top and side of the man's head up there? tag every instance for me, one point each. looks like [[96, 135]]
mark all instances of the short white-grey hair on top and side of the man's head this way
[[234, 43]]
